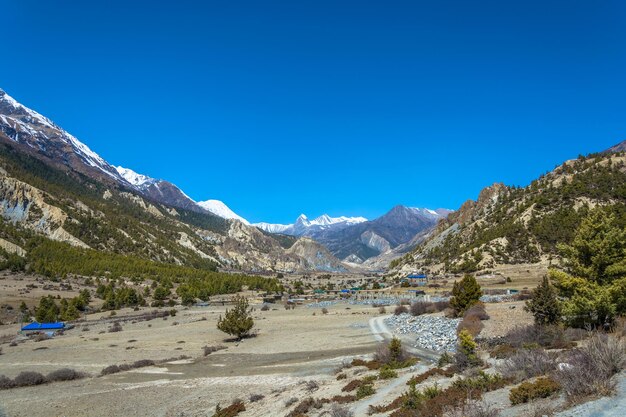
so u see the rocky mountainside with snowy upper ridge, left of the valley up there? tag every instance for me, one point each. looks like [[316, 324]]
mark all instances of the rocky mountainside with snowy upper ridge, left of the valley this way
[[53, 187]]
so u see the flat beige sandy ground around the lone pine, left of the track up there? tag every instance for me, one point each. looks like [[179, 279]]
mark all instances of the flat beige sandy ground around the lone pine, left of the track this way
[[291, 346]]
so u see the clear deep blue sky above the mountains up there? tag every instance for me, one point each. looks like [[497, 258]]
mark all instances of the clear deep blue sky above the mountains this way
[[348, 108]]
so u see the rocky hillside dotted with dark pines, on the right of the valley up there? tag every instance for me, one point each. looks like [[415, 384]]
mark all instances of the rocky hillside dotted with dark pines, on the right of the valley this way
[[512, 225]]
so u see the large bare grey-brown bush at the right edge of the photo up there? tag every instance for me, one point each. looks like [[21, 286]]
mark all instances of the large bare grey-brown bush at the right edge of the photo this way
[[590, 370]]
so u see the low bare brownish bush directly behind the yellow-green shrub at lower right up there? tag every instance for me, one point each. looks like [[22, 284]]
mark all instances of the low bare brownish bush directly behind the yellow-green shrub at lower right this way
[[527, 363]]
